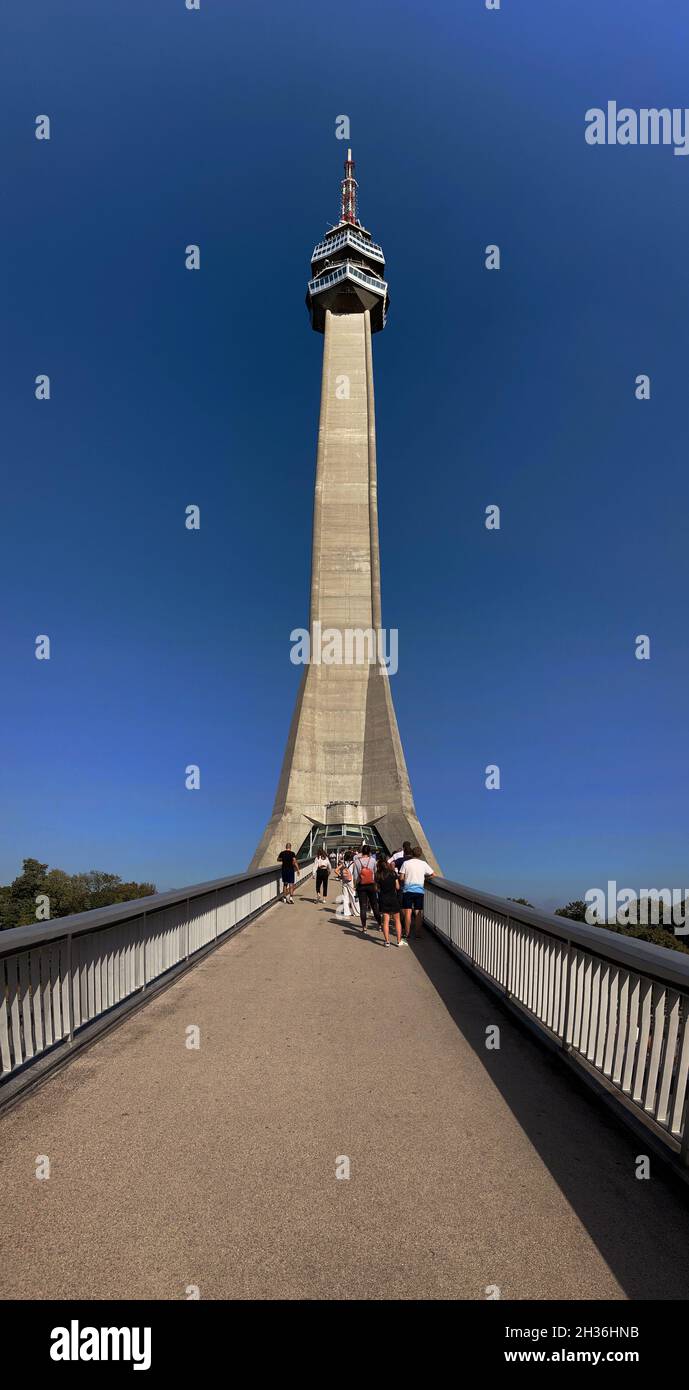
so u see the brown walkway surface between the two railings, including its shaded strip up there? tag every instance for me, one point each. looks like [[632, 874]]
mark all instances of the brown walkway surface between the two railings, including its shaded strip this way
[[217, 1168]]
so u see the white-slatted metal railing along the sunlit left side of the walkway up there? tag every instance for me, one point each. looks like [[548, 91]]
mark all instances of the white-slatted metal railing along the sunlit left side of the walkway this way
[[67, 979]]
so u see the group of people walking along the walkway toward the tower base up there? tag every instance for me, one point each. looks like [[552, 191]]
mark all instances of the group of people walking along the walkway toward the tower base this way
[[391, 889]]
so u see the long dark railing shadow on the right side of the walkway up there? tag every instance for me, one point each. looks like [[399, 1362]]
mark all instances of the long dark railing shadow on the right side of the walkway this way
[[640, 1227]]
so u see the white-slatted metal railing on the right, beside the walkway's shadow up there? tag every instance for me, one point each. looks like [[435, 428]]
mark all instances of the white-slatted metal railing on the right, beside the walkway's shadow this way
[[617, 1007]]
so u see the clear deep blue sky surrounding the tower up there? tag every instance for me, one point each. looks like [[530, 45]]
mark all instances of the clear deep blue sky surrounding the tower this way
[[174, 389]]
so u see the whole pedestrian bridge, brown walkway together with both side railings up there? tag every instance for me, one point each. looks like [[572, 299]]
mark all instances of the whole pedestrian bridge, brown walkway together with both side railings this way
[[210, 1061]]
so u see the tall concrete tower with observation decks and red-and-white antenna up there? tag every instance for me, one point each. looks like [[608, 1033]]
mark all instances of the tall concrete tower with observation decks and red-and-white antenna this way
[[344, 774]]
